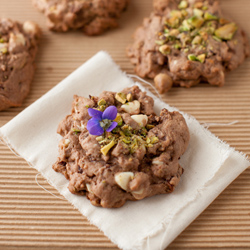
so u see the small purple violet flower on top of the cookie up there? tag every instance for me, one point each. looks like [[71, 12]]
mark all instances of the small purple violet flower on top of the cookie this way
[[101, 121]]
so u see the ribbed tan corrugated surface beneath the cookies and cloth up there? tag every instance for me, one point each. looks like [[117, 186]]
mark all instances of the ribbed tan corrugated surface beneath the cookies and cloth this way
[[31, 218]]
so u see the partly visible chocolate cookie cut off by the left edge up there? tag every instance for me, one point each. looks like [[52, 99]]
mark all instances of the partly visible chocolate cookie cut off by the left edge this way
[[18, 48]]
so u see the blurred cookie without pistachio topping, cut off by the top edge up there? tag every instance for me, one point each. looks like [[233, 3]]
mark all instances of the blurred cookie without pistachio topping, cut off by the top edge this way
[[93, 17]]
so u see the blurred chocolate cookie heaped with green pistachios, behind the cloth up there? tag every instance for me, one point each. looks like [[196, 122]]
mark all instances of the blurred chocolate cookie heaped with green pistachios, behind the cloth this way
[[187, 42]]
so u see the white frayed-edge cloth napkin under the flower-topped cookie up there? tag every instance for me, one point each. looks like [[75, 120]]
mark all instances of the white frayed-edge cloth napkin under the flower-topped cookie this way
[[210, 165]]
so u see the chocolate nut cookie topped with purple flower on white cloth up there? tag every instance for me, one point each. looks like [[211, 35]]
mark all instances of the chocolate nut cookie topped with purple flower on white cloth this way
[[124, 152]]
